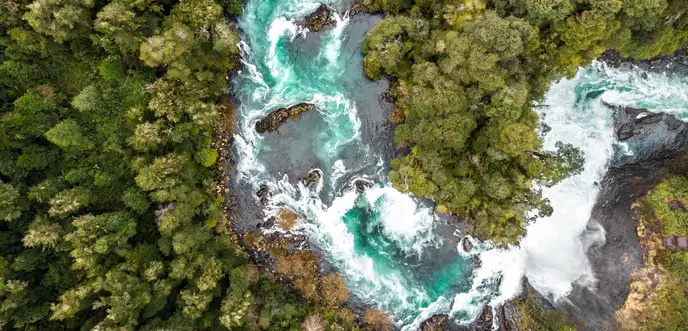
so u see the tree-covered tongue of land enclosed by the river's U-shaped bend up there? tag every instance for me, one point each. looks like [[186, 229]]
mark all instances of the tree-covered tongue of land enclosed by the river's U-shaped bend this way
[[467, 73]]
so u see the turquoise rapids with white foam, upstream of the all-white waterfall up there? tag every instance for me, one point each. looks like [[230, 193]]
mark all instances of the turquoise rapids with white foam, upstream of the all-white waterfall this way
[[383, 242]]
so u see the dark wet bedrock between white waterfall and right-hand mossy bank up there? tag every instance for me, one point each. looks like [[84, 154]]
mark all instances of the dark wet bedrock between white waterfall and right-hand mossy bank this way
[[655, 142]]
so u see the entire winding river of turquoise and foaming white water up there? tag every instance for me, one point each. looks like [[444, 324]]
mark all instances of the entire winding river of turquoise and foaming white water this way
[[394, 253]]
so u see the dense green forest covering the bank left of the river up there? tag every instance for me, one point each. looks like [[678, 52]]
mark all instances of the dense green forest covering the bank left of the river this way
[[108, 213]]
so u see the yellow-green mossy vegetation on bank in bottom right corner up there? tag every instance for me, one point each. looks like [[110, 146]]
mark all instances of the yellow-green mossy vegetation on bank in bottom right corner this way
[[658, 298]]
